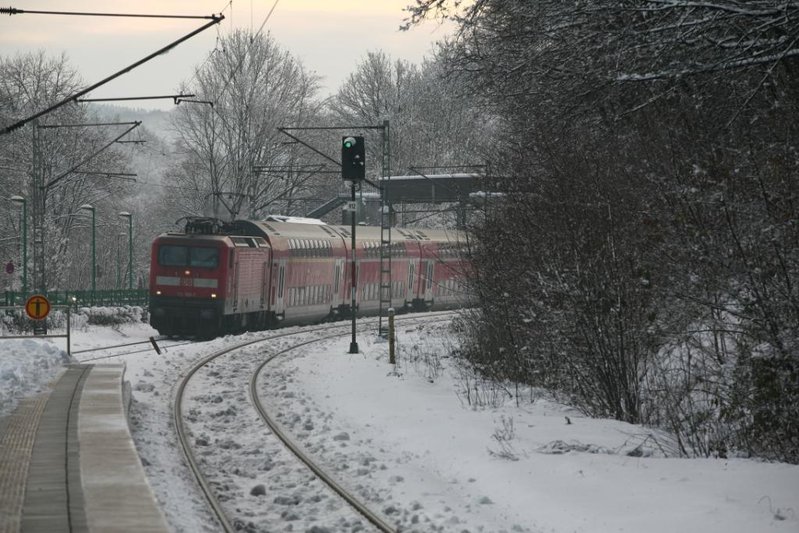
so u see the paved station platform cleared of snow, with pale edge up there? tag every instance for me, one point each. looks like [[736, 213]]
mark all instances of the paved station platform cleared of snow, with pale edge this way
[[68, 463]]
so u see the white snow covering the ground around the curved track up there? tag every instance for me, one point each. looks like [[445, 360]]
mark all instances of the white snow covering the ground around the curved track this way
[[411, 440]]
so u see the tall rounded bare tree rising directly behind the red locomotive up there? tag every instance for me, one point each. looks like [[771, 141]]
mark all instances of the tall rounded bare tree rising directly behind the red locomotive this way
[[255, 88]]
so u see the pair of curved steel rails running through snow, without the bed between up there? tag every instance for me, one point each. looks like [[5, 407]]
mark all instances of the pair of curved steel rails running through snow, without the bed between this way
[[324, 333]]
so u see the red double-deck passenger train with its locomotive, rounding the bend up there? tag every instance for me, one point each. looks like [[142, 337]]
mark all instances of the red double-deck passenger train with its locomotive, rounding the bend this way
[[216, 278]]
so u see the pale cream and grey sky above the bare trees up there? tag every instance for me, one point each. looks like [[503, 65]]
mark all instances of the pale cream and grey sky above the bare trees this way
[[329, 36]]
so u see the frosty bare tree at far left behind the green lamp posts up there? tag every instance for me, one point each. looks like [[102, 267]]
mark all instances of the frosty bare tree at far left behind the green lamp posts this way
[[71, 159]]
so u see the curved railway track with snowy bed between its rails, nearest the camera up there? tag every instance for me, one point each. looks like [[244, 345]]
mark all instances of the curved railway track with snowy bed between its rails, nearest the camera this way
[[218, 367]]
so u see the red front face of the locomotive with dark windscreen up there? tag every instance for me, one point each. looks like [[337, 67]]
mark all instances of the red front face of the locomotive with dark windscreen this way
[[188, 283]]
